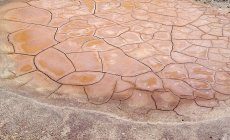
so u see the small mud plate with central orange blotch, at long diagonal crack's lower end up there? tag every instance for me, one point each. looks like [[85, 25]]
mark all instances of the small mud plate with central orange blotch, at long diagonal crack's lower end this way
[[149, 81]]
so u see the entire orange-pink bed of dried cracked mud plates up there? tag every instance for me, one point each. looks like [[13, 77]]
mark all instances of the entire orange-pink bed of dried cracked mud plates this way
[[169, 55]]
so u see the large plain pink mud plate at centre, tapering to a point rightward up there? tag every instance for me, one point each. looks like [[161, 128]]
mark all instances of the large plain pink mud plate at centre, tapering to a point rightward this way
[[116, 61]]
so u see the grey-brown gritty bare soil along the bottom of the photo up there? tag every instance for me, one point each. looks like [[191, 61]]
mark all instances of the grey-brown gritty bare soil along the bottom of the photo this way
[[25, 118]]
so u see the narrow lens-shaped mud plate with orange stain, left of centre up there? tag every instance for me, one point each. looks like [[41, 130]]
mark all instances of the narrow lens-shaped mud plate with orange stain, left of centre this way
[[82, 78]]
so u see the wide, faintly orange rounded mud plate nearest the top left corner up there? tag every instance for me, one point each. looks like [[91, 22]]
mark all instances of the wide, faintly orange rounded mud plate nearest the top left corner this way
[[29, 15]]
